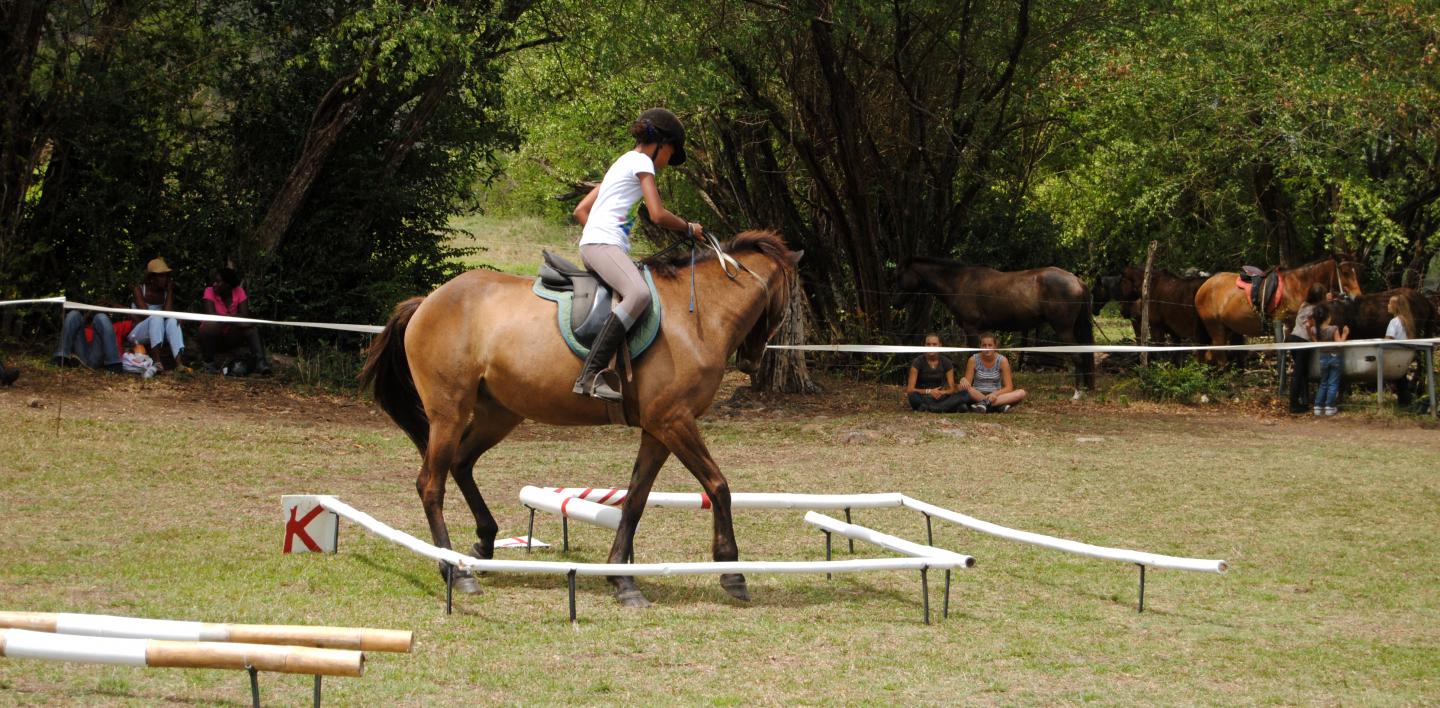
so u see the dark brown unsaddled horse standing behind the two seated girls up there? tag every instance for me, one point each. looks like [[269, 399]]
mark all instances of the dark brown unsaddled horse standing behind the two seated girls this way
[[984, 299]]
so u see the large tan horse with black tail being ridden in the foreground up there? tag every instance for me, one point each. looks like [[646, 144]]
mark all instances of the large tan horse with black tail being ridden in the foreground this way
[[460, 369]]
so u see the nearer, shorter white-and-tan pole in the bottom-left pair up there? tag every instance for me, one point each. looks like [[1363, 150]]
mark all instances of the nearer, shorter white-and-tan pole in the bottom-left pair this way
[[22, 644]]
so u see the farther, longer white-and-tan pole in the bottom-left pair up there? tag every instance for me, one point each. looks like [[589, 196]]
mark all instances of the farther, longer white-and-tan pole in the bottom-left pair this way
[[140, 628]]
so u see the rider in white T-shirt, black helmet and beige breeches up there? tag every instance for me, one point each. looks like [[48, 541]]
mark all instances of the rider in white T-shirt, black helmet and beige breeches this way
[[660, 140]]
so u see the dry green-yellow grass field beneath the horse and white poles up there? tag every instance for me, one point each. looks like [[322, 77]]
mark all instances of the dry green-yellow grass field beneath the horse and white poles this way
[[163, 500]]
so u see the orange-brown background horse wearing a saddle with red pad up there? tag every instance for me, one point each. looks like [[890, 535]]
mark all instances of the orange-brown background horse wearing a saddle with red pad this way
[[1228, 316]]
